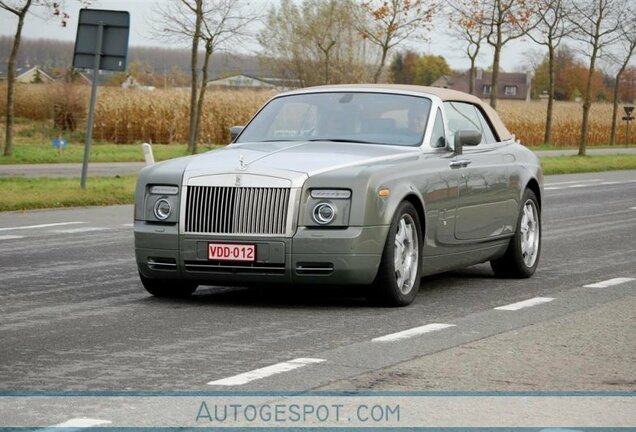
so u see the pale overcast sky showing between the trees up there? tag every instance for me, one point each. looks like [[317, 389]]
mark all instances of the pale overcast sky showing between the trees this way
[[515, 56]]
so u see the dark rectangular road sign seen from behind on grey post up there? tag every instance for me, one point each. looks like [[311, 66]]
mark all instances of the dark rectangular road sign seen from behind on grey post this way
[[101, 44]]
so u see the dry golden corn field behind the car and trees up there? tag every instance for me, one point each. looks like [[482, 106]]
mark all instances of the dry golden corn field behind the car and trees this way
[[162, 116]]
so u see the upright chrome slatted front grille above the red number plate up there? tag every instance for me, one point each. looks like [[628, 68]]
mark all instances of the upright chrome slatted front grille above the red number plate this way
[[236, 210]]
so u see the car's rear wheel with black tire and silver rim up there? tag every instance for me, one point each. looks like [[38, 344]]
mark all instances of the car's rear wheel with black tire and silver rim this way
[[522, 256]]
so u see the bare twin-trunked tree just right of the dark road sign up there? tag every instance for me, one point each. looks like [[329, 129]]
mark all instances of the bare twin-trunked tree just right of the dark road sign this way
[[215, 23]]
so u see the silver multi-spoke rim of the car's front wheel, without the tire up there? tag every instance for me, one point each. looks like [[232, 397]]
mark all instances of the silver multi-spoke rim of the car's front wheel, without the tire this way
[[406, 254]]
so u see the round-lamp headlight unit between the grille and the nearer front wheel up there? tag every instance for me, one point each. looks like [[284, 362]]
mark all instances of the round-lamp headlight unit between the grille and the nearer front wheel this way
[[327, 208]]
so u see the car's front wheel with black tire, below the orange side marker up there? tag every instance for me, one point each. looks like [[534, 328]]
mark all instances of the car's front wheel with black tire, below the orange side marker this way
[[398, 278]]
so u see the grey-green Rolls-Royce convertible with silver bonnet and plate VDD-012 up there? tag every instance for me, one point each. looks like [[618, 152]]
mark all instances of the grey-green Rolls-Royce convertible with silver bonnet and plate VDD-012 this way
[[359, 184]]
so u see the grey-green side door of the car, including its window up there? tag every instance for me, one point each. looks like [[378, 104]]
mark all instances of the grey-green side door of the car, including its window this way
[[484, 196]]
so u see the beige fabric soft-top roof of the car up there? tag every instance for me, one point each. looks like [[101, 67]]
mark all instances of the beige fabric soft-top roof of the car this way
[[442, 93]]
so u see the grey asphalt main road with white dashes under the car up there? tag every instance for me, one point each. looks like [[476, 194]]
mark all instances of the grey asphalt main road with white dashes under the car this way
[[74, 317]]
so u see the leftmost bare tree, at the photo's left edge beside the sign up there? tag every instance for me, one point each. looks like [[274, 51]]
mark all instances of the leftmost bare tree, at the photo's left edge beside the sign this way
[[20, 9]]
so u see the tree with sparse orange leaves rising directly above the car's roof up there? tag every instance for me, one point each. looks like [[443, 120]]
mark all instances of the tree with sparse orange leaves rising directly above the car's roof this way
[[392, 22]]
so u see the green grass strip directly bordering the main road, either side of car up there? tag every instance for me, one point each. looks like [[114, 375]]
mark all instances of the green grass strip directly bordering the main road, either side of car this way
[[20, 193]]
